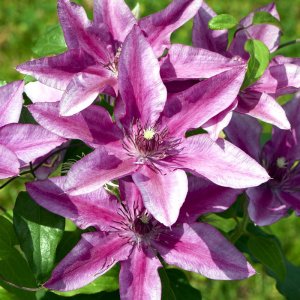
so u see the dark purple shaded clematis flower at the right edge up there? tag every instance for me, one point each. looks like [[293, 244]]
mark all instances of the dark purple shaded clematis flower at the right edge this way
[[280, 156]]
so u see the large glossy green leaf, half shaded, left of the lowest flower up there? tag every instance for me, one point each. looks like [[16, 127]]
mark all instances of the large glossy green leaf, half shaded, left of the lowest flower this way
[[39, 232]]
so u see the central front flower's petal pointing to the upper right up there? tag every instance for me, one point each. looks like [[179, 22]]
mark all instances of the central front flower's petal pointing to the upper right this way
[[198, 104]]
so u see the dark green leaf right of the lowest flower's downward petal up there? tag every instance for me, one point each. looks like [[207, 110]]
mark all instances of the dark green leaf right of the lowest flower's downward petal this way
[[175, 285]]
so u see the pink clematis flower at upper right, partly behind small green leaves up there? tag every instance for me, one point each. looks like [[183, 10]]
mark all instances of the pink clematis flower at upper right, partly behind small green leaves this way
[[257, 100]]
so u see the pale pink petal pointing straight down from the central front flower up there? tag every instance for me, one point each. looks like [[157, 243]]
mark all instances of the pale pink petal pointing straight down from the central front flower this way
[[163, 195]]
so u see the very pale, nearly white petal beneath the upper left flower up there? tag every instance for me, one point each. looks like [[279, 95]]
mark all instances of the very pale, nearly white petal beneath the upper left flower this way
[[38, 92]]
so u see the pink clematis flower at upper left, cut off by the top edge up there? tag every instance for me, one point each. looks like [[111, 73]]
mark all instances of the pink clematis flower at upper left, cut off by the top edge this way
[[90, 65]]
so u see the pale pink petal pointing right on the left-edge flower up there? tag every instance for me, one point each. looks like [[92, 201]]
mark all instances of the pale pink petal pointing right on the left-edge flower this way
[[29, 142]]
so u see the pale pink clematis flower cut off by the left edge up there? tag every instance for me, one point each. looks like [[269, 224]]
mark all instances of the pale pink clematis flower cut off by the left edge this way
[[20, 144]]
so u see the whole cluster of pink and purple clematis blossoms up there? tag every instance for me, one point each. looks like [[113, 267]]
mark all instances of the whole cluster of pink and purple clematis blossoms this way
[[148, 144]]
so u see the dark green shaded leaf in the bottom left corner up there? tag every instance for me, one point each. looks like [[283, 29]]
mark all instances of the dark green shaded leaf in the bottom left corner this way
[[13, 267]]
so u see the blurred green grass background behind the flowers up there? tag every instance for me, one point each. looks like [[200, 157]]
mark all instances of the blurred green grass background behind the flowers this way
[[22, 22]]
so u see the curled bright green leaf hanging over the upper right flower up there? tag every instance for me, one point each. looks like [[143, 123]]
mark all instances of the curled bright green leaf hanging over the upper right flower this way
[[258, 62]]
